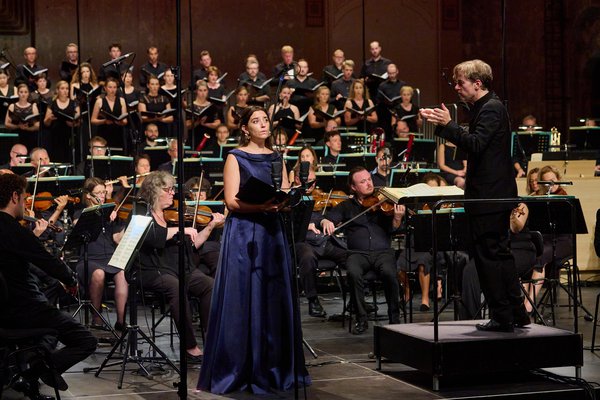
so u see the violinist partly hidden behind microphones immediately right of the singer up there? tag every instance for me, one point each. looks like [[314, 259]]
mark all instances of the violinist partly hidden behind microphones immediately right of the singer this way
[[316, 246]]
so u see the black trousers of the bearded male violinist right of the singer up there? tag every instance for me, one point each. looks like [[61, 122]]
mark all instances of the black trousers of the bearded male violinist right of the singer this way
[[382, 262]]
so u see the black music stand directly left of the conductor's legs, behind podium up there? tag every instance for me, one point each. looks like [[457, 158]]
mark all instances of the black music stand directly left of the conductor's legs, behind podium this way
[[452, 236]]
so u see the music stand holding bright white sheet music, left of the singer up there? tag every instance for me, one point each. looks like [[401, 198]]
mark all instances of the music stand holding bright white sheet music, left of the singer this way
[[123, 258]]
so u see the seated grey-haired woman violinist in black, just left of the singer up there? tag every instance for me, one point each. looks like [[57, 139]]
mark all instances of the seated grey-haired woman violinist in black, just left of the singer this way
[[158, 258]]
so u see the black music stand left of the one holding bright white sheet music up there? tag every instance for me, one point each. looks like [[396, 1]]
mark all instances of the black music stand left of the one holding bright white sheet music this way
[[86, 230]]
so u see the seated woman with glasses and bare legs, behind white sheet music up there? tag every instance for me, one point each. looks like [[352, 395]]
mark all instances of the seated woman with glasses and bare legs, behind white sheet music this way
[[100, 251]]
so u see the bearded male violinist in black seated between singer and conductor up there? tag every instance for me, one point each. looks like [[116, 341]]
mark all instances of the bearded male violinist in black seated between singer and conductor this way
[[369, 246]]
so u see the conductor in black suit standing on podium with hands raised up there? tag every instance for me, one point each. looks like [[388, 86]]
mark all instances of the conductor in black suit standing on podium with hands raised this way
[[489, 176]]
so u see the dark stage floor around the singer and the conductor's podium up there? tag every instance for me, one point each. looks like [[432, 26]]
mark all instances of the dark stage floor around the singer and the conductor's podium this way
[[345, 369]]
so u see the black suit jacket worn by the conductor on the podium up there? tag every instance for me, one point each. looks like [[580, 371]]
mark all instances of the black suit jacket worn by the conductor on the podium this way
[[487, 143]]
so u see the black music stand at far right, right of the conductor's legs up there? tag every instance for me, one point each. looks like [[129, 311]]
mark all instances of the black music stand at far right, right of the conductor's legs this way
[[554, 218]]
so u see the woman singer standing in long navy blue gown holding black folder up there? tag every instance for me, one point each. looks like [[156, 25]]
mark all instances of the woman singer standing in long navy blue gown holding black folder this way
[[252, 340]]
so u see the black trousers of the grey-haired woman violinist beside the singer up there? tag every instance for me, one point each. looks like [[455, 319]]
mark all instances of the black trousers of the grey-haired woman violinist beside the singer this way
[[198, 285]]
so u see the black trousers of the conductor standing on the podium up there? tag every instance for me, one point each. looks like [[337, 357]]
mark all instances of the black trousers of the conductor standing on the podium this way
[[495, 264]]
